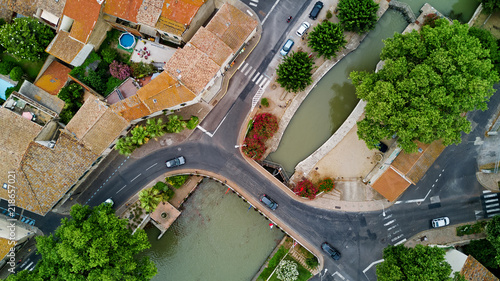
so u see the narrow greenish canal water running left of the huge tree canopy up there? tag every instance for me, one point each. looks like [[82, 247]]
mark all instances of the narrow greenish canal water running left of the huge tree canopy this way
[[330, 103]]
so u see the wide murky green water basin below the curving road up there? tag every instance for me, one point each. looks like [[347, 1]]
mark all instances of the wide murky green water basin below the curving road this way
[[217, 237]]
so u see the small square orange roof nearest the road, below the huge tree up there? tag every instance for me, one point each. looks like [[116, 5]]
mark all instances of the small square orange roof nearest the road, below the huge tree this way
[[390, 184]]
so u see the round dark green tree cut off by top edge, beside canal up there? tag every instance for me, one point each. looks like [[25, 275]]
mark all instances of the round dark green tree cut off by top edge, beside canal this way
[[359, 16]]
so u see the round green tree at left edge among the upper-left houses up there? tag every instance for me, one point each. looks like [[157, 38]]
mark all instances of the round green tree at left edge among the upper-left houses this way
[[26, 38]]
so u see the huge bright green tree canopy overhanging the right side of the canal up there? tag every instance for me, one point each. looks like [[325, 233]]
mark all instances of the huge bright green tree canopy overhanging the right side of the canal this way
[[429, 79]]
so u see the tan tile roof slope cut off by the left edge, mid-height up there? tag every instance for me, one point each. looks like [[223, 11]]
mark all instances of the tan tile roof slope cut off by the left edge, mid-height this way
[[17, 133]]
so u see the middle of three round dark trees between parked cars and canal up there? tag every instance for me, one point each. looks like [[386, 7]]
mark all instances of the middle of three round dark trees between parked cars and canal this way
[[327, 38]]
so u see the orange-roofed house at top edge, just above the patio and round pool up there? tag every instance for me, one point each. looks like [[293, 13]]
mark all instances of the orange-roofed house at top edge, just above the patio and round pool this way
[[175, 21]]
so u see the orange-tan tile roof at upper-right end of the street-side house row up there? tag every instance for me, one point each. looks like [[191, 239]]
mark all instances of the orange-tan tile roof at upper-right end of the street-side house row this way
[[232, 26]]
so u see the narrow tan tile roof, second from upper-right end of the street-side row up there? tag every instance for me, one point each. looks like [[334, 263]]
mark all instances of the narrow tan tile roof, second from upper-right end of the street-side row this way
[[210, 44]]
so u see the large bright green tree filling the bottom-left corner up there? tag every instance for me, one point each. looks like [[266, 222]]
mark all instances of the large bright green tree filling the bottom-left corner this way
[[94, 244]]
